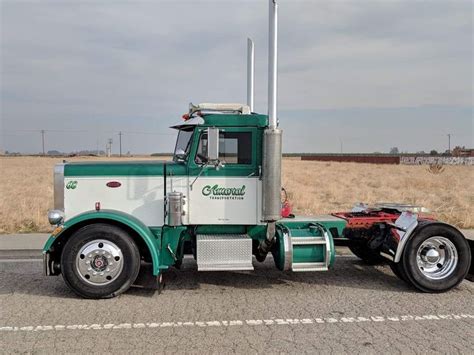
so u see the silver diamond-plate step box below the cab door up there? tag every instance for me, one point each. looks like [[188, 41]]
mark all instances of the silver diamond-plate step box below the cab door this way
[[224, 252]]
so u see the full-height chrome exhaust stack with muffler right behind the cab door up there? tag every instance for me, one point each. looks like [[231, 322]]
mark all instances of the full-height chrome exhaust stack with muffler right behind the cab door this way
[[272, 142]]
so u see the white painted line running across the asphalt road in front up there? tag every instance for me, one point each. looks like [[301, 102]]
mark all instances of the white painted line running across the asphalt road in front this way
[[248, 322]]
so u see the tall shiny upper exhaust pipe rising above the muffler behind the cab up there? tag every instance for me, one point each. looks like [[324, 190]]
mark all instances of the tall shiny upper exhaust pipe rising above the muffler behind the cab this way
[[272, 64]]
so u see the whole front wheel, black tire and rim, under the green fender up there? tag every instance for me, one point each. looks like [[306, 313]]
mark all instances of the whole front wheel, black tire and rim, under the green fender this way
[[100, 261]]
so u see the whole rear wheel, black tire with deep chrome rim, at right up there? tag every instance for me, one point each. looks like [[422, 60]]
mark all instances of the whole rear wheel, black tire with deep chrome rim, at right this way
[[436, 259]]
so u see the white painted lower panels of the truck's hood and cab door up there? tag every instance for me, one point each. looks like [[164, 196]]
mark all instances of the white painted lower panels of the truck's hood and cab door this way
[[143, 198]]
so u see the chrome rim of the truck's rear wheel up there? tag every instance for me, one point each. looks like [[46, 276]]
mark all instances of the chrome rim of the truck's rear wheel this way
[[437, 258]]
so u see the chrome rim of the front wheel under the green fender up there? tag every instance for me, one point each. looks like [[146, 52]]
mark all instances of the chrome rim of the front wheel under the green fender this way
[[99, 262]]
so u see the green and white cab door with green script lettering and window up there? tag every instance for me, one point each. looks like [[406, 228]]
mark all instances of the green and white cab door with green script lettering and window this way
[[229, 193]]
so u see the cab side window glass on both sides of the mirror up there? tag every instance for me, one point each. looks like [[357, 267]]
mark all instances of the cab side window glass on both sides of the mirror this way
[[234, 148]]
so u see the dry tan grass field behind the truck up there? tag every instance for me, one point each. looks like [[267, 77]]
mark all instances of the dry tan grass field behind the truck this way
[[26, 189]]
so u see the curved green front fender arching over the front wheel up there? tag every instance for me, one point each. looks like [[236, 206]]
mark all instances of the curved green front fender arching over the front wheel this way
[[119, 218]]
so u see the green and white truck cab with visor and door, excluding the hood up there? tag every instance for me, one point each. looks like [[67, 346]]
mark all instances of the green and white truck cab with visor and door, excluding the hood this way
[[228, 188]]
